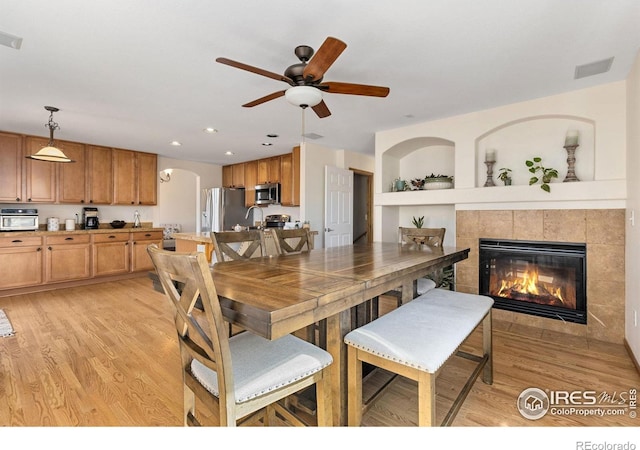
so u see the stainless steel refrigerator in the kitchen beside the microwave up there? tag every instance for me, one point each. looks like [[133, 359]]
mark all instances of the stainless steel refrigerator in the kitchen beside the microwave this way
[[224, 208]]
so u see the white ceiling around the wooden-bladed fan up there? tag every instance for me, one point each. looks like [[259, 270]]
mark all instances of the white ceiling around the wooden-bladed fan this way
[[140, 73]]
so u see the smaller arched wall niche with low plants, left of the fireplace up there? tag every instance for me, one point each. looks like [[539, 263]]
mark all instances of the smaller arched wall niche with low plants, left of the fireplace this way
[[417, 158]]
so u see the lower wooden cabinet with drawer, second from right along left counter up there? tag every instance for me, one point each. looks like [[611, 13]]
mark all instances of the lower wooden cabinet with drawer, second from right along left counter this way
[[110, 254]]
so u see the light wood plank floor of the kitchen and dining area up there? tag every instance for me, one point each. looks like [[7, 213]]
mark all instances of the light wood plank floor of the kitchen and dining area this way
[[107, 355]]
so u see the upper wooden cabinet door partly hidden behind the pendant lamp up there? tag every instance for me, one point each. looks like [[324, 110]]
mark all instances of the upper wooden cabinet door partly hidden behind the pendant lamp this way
[[40, 176]]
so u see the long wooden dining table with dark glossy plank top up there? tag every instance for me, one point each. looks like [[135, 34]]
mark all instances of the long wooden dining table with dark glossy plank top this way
[[277, 295]]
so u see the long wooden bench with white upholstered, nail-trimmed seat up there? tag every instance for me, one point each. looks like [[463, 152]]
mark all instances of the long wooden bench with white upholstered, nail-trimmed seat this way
[[415, 341]]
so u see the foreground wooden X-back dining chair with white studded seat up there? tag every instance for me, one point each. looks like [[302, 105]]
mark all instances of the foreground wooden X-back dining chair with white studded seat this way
[[241, 379]]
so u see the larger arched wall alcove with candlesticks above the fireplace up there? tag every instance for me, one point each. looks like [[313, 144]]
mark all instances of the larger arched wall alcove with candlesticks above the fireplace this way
[[517, 141]]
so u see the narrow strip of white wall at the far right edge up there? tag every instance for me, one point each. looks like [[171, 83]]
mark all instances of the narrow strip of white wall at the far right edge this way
[[632, 250]]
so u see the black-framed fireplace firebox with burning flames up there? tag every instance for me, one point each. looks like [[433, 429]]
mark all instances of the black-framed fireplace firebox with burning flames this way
[[546, 279]]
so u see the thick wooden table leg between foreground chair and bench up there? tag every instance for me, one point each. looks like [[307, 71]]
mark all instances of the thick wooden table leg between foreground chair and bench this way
[[338, 326]]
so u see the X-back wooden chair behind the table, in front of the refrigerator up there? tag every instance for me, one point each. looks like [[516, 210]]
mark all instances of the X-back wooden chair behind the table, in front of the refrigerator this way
[[233, 245]]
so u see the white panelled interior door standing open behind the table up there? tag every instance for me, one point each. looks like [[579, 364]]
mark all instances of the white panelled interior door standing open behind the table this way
[[338, 201]]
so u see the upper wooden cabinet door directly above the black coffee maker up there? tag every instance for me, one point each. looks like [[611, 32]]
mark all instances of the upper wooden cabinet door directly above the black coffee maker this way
[[99, 175]]
